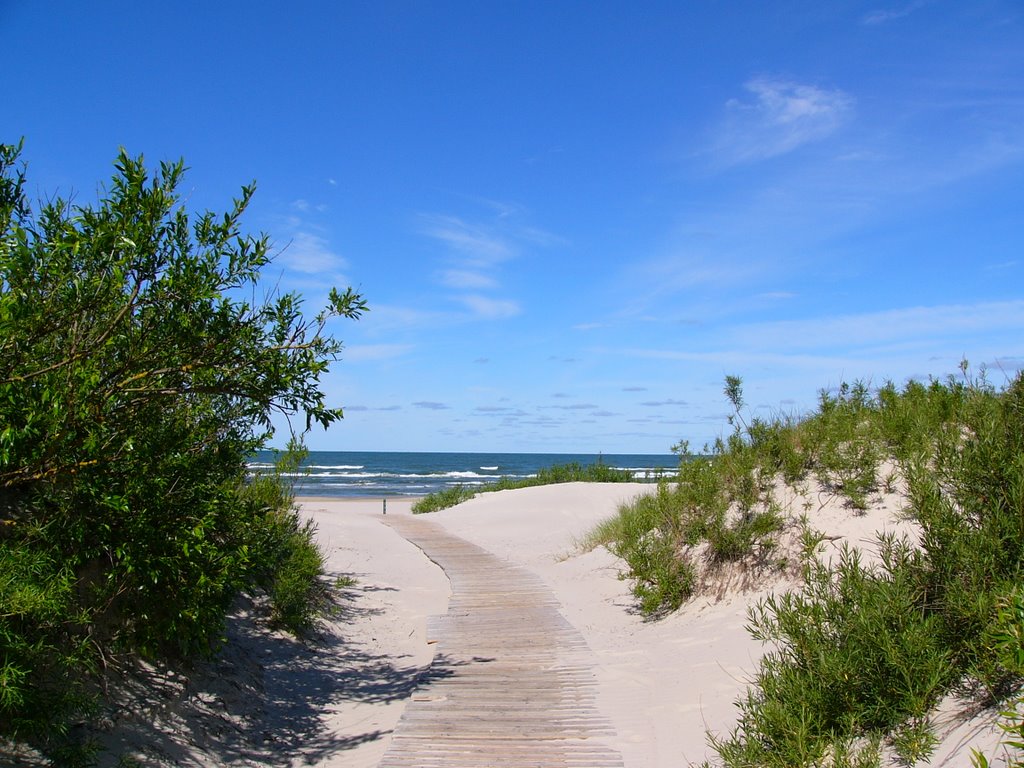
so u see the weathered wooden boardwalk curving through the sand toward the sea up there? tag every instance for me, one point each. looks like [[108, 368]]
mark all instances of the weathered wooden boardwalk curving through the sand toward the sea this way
[[511, 685]]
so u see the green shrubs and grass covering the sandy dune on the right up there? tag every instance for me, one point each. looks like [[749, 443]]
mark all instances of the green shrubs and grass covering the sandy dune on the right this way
[[859, 655]]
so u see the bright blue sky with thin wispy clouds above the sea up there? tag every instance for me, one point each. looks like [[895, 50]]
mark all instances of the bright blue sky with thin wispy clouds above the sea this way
[[572, 221]]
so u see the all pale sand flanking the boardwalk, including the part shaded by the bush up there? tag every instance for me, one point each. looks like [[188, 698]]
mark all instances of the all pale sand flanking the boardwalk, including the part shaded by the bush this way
[[662, 685]]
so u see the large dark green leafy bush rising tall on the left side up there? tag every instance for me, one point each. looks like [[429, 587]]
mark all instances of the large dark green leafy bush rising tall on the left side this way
[[137, 376]]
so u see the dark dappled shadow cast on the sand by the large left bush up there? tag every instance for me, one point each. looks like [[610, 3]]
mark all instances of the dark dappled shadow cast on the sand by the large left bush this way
[[263, 700]]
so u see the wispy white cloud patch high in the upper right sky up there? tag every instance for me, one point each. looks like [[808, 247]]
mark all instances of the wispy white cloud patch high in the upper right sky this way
[[781, 117]]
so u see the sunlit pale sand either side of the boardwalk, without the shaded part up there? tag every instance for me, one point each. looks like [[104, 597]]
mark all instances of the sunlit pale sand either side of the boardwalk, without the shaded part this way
[[663, 685]]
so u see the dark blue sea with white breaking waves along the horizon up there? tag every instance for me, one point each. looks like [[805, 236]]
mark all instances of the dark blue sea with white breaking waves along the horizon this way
[[351, 475]]
